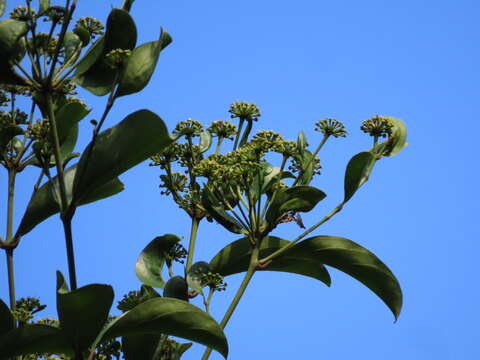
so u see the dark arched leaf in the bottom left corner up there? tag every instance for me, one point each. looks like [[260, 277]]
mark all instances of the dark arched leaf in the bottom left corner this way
[[30, 339]]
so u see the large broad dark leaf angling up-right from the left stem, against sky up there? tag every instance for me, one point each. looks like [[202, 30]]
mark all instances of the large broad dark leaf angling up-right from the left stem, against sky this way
[[136, 138]]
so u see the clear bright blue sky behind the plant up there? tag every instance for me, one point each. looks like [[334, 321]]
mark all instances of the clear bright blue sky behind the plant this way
[[299, 62]]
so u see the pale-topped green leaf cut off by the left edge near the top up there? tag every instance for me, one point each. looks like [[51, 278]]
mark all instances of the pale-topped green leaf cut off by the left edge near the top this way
[[10, 33]]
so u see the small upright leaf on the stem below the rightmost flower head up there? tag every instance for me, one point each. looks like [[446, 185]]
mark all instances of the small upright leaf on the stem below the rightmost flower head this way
[[358, 170]]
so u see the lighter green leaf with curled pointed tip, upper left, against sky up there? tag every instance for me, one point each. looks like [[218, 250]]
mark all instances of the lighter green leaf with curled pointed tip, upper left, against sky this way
[[141, 64]]
